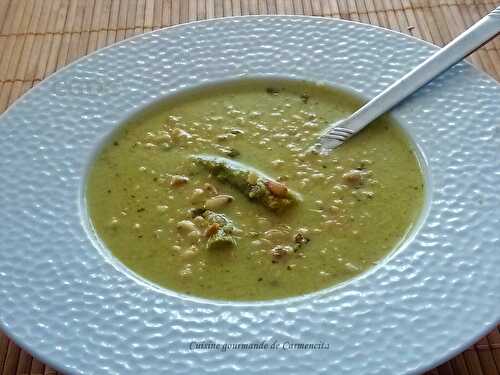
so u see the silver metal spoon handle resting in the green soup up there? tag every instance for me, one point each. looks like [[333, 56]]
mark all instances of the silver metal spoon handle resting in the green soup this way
[[477, 35]]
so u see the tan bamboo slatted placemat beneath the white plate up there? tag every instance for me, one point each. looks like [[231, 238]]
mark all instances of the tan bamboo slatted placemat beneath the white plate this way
[[39, 37]]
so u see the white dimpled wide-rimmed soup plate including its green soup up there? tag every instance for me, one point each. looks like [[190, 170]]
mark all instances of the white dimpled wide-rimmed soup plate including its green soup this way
[[160, 205]]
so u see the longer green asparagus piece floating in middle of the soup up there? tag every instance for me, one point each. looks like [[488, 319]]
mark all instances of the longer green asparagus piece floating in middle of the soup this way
[[254, 184]]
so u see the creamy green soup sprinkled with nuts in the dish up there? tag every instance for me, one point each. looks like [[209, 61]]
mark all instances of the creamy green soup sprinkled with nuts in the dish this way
[[159, 210]]
